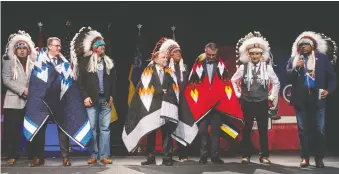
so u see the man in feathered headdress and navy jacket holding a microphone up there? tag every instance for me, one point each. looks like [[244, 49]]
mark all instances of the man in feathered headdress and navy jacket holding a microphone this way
[[313, 79]]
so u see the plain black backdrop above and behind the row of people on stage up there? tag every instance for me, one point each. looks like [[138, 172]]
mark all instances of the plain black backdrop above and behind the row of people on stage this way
[[197, 23]]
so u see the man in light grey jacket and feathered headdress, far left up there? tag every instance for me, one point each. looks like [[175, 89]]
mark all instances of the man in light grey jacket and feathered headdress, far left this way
[[17, 63]]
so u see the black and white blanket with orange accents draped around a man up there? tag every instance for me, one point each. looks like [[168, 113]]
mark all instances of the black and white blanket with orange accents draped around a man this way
[[152, 108]]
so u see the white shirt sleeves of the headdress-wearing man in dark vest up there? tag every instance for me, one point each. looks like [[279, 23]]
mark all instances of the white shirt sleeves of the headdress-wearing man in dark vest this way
[[271, 75]]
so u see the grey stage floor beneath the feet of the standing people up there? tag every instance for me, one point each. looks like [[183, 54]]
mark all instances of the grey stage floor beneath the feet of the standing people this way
[[131, 165]]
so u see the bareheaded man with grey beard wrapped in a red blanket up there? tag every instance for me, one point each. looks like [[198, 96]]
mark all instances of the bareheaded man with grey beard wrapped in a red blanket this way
[[211, 100]]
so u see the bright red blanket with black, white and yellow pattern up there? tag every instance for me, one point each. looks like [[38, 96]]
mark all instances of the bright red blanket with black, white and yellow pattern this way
[[202, 96]]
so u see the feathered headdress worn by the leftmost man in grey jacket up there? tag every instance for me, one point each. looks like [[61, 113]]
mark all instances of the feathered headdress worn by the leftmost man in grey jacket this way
[[18, 40]]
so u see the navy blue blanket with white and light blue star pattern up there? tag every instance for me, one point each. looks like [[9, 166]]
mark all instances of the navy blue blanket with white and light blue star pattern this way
[[53, 92]]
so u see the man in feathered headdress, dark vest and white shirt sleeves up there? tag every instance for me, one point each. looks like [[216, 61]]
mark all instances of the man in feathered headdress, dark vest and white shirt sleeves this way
[[254, 75]]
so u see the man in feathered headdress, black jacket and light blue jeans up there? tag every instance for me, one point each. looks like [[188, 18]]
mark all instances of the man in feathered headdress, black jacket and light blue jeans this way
[[95, 74]]
